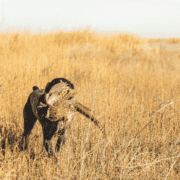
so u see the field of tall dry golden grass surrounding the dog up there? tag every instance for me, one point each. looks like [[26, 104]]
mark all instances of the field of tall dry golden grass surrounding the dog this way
[[133, 90]]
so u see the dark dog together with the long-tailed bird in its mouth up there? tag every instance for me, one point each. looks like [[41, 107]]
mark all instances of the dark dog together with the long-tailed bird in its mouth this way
[[41, 104]]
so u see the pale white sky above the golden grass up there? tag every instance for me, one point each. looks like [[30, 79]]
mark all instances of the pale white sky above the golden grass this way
[[146, 18]]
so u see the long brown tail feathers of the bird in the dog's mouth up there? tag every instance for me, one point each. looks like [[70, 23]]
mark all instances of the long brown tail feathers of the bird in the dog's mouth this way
[[88, 113]]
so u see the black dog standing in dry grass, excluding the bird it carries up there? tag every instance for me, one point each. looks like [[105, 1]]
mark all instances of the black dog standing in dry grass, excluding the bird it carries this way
[[32, 112]]
